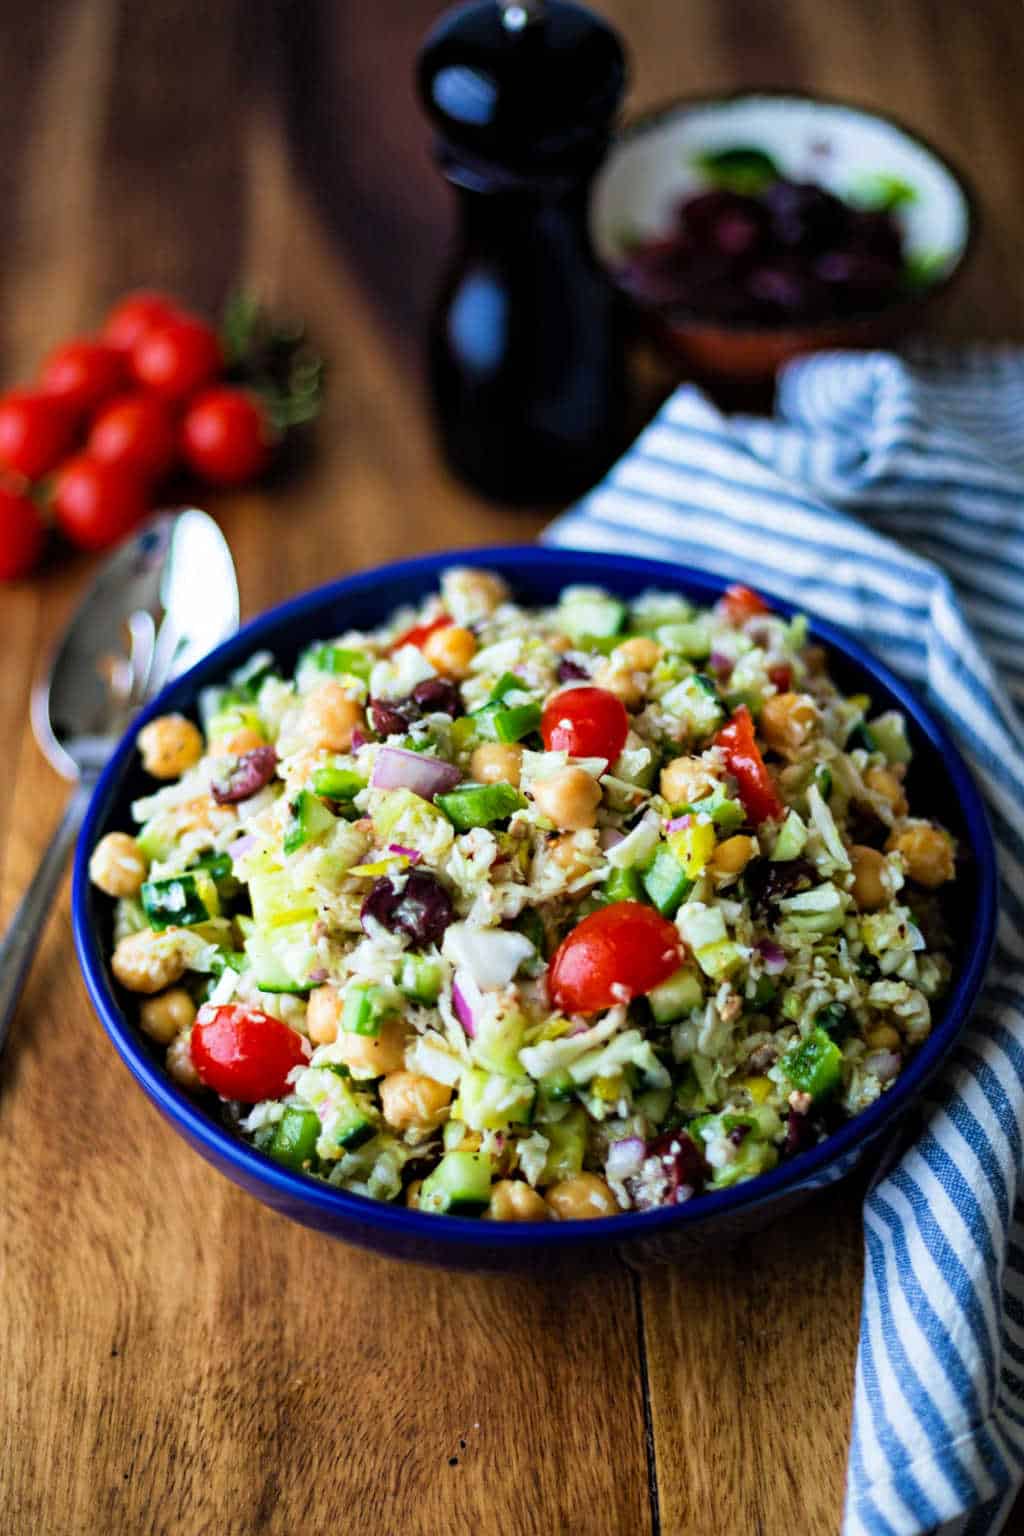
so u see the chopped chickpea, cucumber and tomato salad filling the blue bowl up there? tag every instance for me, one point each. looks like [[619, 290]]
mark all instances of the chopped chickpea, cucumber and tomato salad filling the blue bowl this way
[[535, 913]]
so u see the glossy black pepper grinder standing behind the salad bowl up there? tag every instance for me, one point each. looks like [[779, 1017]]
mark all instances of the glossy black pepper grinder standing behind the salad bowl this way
[[527, 357]]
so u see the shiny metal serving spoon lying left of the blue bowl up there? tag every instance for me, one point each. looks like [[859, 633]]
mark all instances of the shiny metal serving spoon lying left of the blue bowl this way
[[162, 601]]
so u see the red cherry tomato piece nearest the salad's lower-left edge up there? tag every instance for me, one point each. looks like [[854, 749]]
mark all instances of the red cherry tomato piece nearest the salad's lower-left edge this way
[[243, 1053]]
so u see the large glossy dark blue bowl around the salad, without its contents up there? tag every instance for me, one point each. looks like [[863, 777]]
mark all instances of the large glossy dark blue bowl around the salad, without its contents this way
[[940, 787]]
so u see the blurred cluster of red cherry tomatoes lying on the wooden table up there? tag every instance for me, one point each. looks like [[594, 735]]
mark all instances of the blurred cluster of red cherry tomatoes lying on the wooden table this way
[[111, 417]]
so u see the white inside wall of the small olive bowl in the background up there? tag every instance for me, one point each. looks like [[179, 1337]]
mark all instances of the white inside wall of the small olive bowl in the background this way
[[652, 170]]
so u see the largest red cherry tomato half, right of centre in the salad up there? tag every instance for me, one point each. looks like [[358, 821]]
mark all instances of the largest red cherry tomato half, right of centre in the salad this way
[[618, 953]]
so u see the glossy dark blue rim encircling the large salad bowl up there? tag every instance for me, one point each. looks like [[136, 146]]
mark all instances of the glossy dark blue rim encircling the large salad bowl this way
[[282, 1187]]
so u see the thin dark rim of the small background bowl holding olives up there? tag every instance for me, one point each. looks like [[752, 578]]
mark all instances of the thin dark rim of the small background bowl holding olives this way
[[676, 107]]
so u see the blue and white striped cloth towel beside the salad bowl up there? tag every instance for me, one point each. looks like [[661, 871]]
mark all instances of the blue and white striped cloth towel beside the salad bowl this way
[[890, 497]]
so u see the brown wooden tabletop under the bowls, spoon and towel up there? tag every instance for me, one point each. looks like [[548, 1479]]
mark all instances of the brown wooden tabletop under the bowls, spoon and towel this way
[[173, 1356]]
